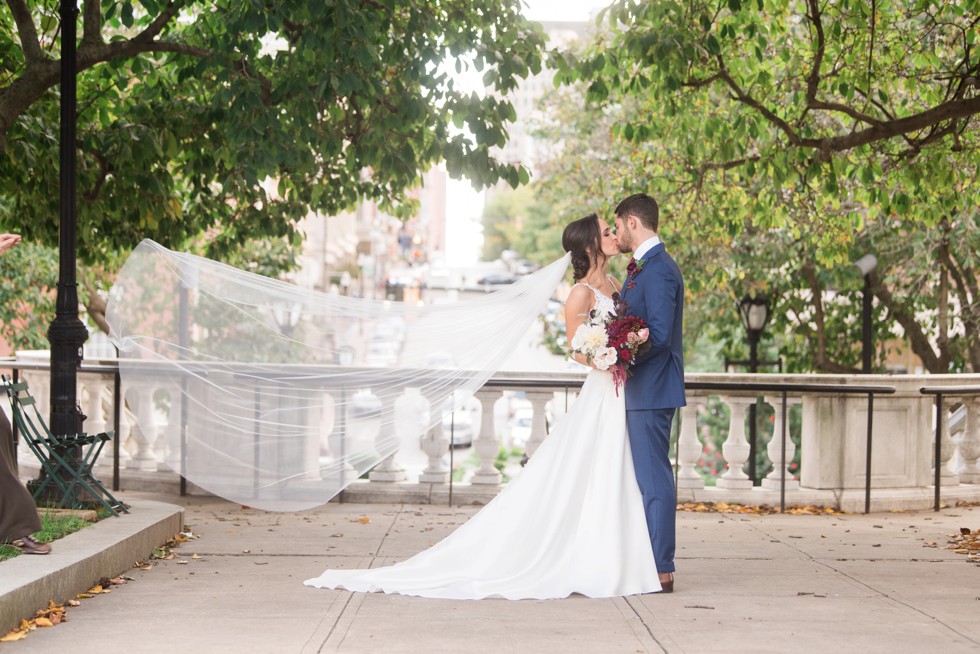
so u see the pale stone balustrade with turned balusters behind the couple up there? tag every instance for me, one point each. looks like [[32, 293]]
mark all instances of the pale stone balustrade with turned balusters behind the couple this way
[[826, 468]]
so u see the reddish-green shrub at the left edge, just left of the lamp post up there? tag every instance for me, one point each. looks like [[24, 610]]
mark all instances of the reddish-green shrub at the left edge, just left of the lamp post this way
[[28, 283]]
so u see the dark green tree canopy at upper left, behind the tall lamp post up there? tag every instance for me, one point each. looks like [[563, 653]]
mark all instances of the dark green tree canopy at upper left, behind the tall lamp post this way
[[180, 120]]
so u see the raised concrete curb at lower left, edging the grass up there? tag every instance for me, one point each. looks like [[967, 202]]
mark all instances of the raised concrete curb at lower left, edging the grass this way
[[77, 561]]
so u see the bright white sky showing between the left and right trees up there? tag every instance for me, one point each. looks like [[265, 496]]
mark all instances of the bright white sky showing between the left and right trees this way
[[464, 206]]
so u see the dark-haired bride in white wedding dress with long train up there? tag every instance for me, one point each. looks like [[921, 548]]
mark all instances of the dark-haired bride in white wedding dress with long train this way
[[573, 520]]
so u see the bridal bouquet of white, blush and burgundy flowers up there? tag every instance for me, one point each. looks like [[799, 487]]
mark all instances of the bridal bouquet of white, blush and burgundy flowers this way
[[612, 342]]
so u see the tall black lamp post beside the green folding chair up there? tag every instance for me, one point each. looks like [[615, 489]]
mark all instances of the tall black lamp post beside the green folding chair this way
[[67, 333]]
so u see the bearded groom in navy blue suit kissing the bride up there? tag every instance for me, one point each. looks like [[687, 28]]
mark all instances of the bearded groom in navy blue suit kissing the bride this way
[[654, 291]]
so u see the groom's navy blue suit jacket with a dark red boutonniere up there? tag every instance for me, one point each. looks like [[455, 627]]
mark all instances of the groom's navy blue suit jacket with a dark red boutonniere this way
[[657, 296]]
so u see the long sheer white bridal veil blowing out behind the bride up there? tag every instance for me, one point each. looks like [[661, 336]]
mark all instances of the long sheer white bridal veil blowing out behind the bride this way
[[262, 379]]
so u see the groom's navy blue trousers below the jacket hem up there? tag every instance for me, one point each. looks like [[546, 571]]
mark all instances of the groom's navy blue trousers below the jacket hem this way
[[649, 432]]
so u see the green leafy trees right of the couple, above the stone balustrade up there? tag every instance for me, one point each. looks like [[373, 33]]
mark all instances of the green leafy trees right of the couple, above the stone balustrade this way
[[785, 139]]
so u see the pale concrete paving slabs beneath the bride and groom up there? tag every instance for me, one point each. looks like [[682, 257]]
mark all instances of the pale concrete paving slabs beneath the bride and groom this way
[[747, 583]]
